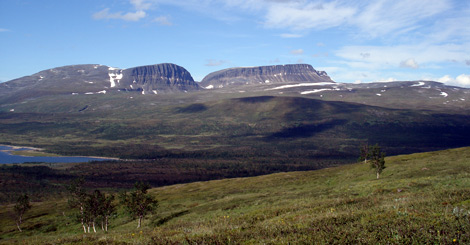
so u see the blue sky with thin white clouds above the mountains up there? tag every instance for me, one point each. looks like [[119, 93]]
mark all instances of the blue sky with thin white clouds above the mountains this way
[[352, 40]]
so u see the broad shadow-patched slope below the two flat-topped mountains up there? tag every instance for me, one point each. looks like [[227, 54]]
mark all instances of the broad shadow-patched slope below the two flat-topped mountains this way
[[265, 126]]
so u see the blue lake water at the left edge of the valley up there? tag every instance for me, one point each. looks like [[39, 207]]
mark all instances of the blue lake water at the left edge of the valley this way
[[6, 157]]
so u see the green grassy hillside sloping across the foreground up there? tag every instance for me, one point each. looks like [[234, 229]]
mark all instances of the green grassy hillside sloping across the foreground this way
[[420, 198]]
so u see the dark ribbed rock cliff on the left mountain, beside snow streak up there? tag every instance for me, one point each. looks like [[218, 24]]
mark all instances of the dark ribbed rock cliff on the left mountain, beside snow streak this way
[[154, 79]]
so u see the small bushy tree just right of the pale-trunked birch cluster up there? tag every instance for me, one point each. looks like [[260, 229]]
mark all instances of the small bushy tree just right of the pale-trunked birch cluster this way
[[139, 203]]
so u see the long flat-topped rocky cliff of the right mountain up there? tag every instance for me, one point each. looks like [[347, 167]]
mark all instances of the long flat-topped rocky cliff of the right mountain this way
[[264, 74]]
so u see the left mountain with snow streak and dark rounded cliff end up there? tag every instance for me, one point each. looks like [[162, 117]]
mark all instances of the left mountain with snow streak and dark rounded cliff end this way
[[99, 79]]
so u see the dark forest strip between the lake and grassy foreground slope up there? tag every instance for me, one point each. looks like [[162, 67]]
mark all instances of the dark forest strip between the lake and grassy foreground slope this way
[[43, 181]]
